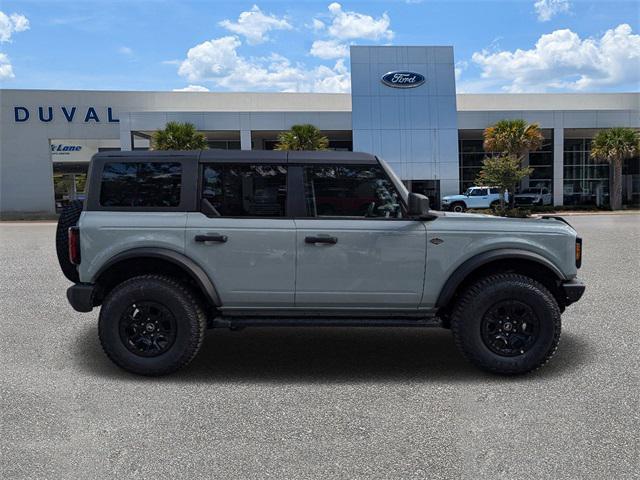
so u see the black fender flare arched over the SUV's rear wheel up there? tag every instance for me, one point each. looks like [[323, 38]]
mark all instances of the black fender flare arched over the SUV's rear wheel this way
[[194, 270]]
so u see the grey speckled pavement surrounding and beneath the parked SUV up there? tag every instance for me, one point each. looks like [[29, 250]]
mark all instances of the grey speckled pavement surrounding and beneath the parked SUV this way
[[319, 403]]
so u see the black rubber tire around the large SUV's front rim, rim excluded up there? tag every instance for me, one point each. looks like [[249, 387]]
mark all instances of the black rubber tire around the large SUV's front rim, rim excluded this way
[[475, 302]]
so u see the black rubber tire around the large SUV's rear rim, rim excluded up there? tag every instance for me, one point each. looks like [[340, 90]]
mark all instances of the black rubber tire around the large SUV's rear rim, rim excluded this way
[[178, 299]]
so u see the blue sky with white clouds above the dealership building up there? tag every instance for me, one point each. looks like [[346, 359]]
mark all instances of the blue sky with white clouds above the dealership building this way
[[499, 46]]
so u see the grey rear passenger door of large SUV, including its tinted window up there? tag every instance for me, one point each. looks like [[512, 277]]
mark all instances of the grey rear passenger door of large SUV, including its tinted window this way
[[242, 236]]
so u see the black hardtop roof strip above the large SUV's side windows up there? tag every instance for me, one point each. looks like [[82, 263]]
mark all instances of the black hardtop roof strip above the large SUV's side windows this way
[[245, 156]]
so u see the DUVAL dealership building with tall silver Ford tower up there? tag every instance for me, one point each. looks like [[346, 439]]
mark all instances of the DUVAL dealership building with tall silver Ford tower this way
[[403, 107]]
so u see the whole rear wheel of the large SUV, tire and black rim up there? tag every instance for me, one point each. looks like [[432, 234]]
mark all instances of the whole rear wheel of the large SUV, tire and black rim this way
[[151, 325]]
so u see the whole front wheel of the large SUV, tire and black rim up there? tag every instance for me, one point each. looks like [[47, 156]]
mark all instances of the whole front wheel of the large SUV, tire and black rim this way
[[507, 324]]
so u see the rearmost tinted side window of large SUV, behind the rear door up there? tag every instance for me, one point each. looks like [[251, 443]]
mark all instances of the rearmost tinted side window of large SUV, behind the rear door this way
[[141, 184]]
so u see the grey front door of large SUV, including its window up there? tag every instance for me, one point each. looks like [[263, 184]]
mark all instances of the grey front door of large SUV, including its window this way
[[355, 249]]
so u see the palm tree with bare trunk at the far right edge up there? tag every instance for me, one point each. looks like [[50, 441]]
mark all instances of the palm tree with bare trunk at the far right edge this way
[[614, 146]]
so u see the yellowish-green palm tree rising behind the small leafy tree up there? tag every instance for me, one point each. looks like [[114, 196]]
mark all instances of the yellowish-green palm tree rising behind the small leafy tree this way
[[513, 139]]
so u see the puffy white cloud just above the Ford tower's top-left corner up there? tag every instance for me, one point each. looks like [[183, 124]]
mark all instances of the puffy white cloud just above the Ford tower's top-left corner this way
[[347, 25]]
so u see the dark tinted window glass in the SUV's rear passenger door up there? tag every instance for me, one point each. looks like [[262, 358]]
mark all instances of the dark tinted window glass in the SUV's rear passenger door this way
[[246, 190]]
